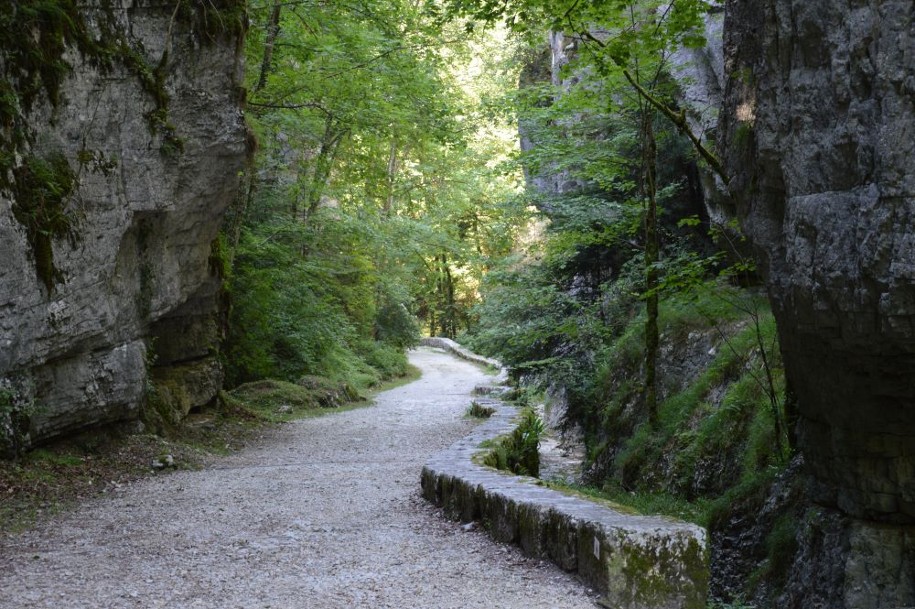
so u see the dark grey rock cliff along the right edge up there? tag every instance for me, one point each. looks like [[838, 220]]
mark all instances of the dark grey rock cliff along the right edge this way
[[818, 122]]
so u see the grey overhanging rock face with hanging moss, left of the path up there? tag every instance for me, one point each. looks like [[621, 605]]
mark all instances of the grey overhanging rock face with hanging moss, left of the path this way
[[154, 142]]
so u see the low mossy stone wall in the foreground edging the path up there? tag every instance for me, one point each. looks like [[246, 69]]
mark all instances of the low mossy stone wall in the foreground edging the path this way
[[638, 562]]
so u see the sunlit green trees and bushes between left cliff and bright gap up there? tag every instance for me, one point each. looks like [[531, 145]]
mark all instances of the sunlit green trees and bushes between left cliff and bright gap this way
[[370, 210]]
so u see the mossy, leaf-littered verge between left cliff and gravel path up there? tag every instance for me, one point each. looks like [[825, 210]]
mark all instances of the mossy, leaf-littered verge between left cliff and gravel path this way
[[59, 476]]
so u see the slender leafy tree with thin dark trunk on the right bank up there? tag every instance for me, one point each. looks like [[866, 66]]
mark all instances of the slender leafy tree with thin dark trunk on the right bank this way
[[629, 40]]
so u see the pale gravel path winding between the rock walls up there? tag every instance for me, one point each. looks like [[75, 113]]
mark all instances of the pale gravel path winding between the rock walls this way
[[325, 513]]
